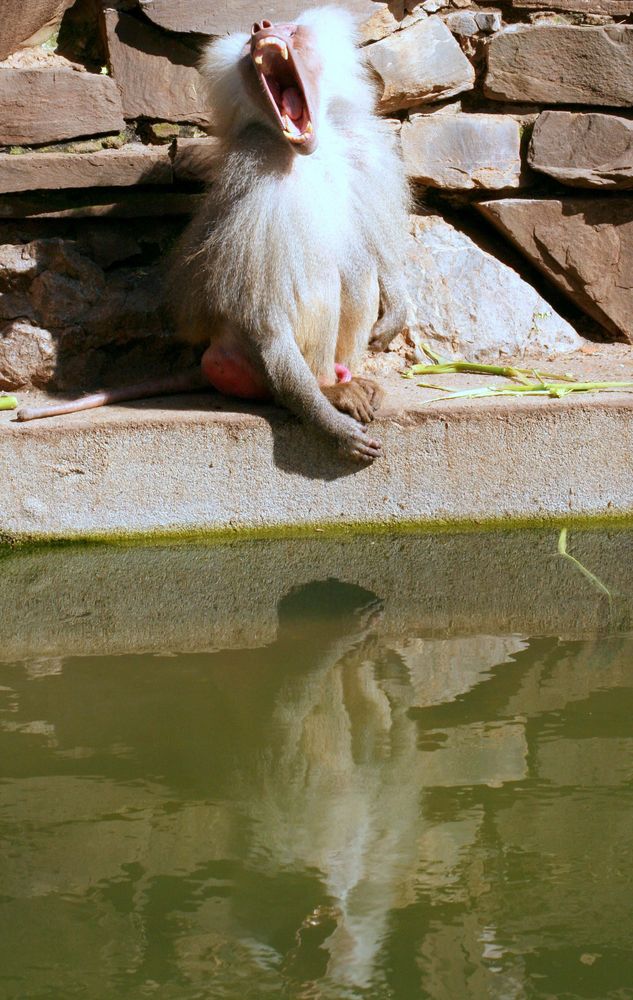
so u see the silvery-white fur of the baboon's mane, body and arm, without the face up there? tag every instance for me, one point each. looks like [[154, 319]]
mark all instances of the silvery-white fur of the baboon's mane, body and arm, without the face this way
[[293, 256]]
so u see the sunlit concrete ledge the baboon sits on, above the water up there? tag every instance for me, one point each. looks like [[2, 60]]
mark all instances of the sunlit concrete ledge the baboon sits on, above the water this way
[[203, 464]]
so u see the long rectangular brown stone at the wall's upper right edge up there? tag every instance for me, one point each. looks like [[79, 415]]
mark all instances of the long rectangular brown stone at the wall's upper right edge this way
[[561, 64]]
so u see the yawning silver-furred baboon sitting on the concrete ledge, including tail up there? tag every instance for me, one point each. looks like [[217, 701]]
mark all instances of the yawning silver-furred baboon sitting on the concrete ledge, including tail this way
[[292, 265]]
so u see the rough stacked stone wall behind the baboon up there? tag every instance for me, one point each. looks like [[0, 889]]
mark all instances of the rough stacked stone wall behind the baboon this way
[[516, 129]]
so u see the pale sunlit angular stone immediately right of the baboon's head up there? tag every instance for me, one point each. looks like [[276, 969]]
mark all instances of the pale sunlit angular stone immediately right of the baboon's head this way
[[421, 64]]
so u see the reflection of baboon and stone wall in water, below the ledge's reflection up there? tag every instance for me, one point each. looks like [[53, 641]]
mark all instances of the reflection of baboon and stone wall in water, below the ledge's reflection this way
[[344, 812]]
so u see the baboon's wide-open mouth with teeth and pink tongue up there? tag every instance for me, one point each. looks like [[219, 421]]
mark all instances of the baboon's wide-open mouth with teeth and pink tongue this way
[[282, 85]]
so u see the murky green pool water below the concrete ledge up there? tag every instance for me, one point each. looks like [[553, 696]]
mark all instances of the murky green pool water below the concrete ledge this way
[[340, 790]]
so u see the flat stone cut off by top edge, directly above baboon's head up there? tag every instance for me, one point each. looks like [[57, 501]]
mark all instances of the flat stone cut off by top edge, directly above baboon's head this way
[[208, 17]]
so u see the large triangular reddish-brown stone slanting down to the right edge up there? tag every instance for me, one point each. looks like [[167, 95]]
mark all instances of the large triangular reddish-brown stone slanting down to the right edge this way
[[584, 245]]
